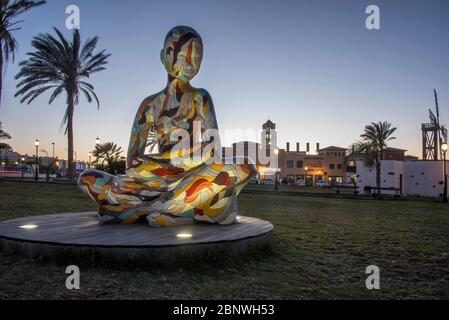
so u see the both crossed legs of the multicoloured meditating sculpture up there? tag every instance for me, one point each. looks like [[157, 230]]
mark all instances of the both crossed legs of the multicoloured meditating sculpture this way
[[207, 194]]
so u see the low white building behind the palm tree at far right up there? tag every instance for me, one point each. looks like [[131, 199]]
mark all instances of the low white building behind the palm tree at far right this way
[[414, 178]]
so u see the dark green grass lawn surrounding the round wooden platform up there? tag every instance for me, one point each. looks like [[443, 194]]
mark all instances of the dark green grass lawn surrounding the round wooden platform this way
[[320, 249]]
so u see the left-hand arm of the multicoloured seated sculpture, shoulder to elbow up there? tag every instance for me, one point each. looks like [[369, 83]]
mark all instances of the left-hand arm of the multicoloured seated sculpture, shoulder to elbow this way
[[142, 124]]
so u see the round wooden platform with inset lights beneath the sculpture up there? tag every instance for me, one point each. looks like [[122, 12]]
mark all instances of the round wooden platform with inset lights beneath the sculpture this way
[[78, 235]]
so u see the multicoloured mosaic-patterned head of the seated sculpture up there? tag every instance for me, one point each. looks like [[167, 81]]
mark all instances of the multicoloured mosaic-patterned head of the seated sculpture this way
[[182, 52]]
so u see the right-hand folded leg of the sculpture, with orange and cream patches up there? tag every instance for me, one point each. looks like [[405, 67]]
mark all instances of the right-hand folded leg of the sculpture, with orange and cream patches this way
[[208, 195]]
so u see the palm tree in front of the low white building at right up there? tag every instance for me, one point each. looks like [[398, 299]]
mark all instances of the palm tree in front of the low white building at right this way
[[374, 142]]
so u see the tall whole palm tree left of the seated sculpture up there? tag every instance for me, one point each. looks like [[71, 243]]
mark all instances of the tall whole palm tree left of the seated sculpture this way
[[62, 66]]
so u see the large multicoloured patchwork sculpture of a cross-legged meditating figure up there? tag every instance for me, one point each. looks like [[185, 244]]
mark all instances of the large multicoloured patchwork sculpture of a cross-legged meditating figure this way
[[161, 187]]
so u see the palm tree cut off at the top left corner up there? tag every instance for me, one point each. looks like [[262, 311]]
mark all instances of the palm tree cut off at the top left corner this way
[[9, 10]]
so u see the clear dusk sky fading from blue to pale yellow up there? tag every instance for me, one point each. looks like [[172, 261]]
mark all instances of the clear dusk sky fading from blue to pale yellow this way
[[312, 67]]
